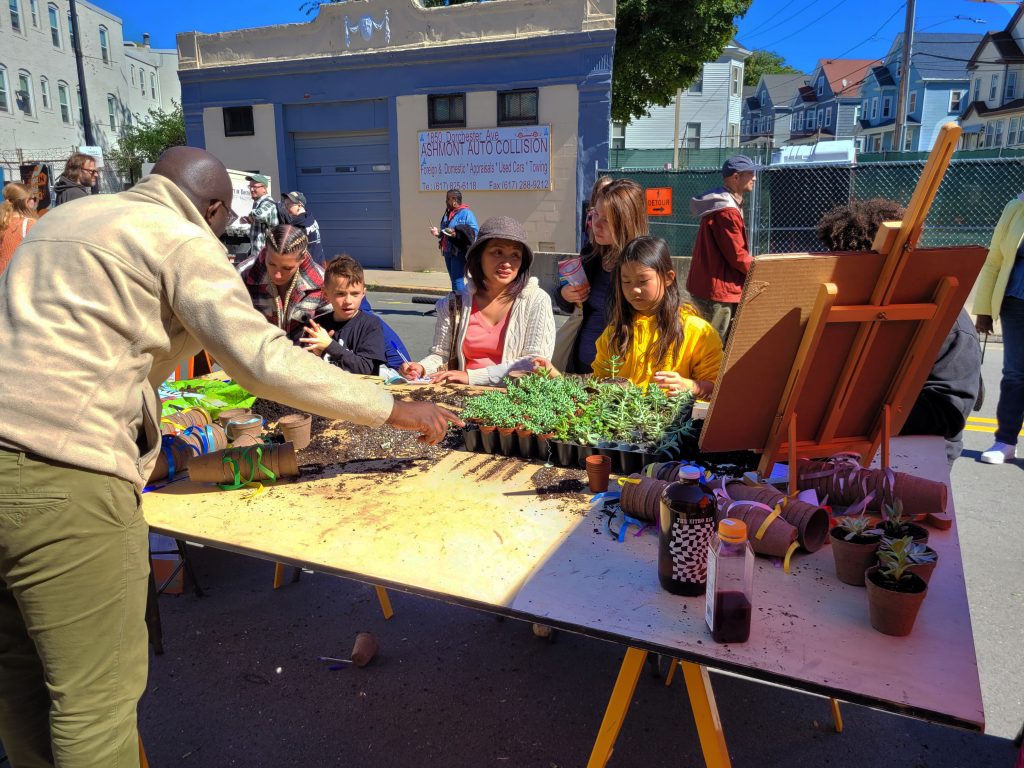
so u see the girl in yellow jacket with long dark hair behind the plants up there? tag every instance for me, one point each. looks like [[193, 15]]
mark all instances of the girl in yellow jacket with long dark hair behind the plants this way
[[653, 337]]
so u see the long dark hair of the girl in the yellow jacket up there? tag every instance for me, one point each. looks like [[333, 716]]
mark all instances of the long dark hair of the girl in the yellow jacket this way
[[650, 252]]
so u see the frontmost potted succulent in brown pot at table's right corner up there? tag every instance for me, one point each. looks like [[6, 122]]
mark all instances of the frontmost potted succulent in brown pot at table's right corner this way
[[894, 593]]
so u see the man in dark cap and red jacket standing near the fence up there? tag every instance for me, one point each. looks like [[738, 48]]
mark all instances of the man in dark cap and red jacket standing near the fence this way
[[721, 255]]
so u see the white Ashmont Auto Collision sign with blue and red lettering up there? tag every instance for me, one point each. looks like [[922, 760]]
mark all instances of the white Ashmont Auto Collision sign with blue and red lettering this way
[[487, 159]]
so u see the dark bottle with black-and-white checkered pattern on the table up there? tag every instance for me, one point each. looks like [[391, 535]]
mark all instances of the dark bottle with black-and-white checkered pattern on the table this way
[[688, 523]]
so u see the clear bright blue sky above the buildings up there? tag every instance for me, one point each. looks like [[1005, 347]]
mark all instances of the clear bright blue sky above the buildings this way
[[803, 31]]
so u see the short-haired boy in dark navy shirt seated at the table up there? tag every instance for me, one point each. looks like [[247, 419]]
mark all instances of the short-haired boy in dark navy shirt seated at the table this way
[[347, 337]]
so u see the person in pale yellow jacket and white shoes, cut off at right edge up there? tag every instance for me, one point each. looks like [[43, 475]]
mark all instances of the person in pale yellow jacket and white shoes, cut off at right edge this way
[[1000, 294]]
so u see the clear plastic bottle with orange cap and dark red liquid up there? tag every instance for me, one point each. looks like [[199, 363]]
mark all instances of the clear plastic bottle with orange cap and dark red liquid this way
[[731, 583]]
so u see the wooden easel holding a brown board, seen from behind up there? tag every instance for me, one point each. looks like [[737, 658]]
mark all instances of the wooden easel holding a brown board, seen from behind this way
[[854, 334]]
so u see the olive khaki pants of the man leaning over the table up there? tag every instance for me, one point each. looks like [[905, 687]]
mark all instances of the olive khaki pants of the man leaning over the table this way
[[74, 569]]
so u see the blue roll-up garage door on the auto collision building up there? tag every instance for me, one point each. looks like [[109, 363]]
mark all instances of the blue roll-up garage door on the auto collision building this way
[[347, 179]]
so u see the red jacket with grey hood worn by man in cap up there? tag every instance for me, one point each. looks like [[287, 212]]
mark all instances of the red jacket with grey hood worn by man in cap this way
[[721, 257]]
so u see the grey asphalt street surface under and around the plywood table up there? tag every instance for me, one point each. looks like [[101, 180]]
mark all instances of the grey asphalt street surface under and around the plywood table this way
[[240, 684]]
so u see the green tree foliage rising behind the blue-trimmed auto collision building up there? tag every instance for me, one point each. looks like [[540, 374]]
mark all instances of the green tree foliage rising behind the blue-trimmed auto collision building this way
[[660, 47]]
